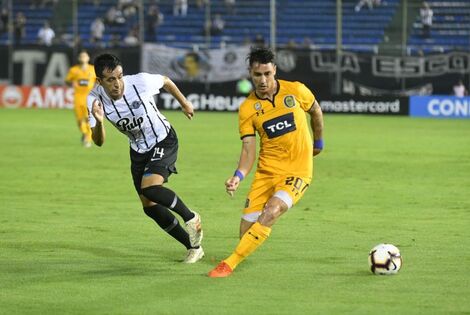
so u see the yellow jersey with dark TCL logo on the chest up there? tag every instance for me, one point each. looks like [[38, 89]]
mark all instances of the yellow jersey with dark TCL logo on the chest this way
[[286, 146]]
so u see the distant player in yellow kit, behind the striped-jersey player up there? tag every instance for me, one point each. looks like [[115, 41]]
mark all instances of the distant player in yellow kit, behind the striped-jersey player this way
[[82, 78]]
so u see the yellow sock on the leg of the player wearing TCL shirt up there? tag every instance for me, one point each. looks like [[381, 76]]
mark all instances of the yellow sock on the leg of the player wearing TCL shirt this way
[[250, 241]]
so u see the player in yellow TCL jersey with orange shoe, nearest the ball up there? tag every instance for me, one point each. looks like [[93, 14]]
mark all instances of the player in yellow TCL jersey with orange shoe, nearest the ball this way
[[276, 111]]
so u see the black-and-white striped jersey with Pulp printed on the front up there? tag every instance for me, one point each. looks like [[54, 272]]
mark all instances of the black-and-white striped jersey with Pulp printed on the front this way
[[135, 114]]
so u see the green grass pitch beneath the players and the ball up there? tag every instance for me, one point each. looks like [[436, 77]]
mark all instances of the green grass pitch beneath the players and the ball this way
[[74, 239]]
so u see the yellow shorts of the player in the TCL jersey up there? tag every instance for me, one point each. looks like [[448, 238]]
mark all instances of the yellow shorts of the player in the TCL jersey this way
[[287, 188]]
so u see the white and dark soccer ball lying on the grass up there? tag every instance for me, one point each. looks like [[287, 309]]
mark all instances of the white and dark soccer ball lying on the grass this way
[[385, 259]]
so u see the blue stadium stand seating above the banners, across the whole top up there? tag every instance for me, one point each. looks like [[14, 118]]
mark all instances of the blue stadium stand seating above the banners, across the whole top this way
[[299, 23]]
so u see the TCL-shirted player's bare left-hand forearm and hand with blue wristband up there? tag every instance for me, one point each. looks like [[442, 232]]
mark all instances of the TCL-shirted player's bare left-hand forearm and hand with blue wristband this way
[[247, 159]]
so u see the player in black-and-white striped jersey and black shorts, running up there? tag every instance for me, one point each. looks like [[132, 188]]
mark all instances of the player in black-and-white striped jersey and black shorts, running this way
[[127, 102]]
